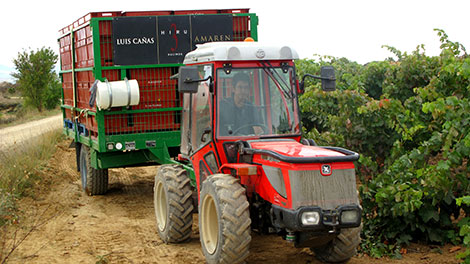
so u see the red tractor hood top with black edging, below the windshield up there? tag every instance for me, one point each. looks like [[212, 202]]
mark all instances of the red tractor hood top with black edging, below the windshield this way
[[293, 152]]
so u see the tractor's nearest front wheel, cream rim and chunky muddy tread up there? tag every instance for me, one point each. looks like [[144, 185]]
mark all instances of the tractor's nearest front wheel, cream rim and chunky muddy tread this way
[[224, 220]]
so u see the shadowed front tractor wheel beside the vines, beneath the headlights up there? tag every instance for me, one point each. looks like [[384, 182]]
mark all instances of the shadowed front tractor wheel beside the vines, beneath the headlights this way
[[341, 248]]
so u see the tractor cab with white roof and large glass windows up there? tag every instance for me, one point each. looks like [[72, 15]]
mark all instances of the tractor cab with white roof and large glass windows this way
[[239, 92]]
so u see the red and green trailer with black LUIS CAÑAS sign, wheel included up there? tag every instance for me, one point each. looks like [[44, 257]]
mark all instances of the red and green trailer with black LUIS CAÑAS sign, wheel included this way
[[120, 105]]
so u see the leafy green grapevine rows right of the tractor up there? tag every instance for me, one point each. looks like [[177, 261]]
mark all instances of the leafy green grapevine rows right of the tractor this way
[[409, 117]]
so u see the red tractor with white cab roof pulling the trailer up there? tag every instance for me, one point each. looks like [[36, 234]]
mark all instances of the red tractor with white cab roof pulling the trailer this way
[[244, 164]]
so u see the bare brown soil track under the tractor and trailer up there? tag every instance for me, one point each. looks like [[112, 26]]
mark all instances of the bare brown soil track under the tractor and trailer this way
[[119, 227]]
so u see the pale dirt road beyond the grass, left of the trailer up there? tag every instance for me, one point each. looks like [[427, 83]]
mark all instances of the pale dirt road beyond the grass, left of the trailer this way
[[18, 134]]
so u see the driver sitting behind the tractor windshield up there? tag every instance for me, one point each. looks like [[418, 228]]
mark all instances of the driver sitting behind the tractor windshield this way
[[238, 116]]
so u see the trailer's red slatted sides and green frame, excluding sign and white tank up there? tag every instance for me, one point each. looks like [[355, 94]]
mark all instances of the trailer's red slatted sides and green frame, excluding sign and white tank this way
[[149, 131]]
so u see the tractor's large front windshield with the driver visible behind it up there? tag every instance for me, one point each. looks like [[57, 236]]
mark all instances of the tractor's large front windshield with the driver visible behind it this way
[[257, 102]]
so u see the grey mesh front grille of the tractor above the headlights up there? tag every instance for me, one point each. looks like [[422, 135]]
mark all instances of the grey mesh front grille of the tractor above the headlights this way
[[310, 188]]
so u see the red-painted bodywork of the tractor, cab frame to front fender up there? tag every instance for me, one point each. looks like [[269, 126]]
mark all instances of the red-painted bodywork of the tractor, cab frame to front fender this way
[[251, 172]]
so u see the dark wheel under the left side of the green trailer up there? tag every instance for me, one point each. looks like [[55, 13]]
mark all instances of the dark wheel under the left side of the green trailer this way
[[94, 181]]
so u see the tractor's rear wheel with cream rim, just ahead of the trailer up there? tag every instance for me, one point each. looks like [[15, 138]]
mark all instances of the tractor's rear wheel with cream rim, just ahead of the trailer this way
[[173, 203]]
